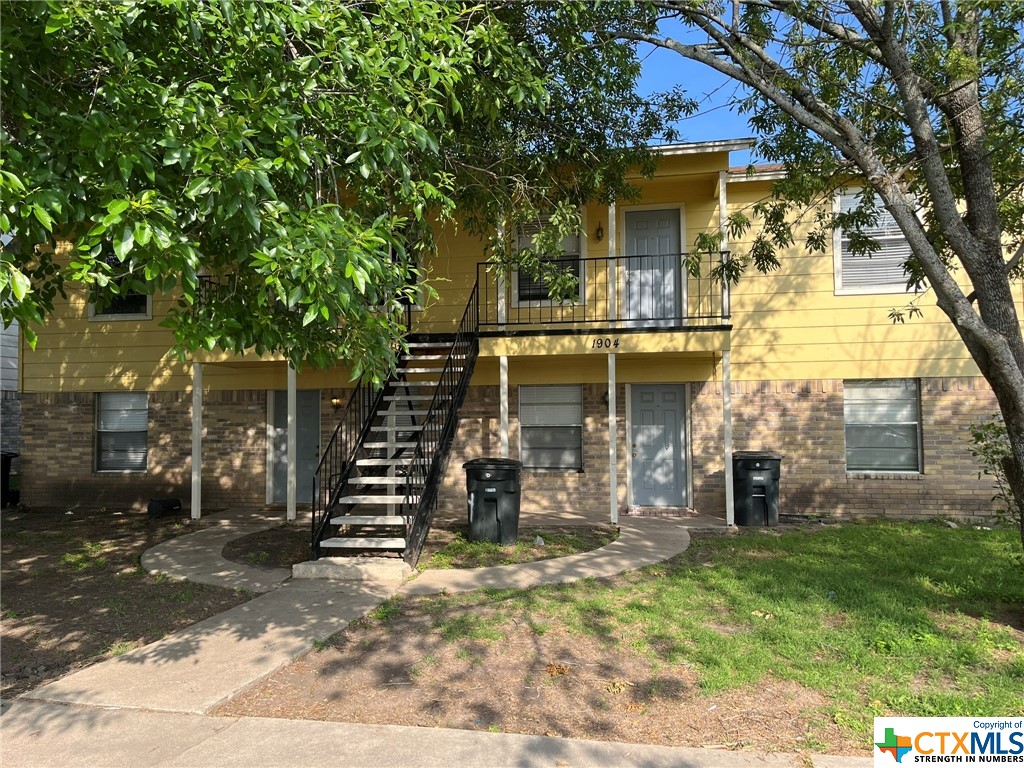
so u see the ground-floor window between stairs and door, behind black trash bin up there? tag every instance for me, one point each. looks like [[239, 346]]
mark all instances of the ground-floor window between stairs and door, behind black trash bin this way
[[551, 428]]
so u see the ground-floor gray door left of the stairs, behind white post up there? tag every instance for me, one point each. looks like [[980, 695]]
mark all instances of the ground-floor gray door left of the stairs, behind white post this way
[[308, 445]]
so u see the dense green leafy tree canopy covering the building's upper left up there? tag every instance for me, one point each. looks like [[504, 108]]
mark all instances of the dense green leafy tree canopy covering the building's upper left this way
[[280, 165]]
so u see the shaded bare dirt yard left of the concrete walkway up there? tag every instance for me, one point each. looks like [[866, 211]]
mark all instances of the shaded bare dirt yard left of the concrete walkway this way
[[74, 592]]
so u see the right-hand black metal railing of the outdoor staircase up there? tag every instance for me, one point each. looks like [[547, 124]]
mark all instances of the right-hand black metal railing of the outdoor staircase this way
[[431, 454]]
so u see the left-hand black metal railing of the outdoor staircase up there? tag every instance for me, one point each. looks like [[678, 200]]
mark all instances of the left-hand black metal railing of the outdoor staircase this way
[[339, 458]]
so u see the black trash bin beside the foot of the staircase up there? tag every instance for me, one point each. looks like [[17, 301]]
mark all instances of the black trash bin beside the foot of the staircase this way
[[493, 491]]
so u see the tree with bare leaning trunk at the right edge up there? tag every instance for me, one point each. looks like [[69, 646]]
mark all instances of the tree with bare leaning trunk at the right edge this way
[[924, 104]]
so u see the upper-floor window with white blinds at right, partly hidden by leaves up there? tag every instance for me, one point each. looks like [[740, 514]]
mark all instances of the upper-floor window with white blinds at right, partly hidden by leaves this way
[[883, 272]]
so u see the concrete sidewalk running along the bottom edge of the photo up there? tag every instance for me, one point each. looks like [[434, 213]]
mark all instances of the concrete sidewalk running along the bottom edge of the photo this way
[[37, 735]]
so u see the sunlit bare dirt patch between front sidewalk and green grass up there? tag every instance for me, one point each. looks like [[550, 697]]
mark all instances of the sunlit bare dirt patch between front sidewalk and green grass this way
[[482, 671]]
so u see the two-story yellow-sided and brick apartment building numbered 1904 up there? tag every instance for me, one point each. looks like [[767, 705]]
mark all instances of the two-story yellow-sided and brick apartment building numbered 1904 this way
[[630, 399]]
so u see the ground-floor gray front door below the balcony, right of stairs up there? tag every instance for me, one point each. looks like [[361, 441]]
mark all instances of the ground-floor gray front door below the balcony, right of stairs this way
[[659, 453]]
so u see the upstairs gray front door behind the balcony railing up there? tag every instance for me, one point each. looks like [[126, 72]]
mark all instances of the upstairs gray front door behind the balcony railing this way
[[653, 275]]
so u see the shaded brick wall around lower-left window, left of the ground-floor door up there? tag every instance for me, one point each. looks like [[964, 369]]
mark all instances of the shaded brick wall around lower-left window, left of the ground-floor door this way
[[59, 451]]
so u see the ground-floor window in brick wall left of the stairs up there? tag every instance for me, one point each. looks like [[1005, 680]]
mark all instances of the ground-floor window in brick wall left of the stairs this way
[[122, 422]]
